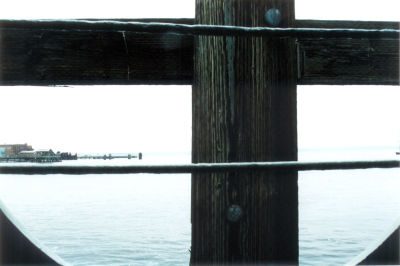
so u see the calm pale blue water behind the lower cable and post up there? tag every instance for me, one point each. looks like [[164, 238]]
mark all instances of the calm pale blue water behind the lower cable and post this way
[[145, 219]]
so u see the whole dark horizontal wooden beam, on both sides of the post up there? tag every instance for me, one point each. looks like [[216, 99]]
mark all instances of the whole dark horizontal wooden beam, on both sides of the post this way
[[54, 57]]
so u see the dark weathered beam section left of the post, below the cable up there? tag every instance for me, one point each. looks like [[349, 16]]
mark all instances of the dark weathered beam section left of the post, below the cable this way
[[45, 57]]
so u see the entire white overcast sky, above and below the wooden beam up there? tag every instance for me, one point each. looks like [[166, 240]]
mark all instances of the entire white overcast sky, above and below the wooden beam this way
[[131, 119]]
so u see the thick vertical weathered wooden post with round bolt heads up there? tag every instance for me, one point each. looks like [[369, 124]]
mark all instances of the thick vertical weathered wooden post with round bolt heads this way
[[244, 109]]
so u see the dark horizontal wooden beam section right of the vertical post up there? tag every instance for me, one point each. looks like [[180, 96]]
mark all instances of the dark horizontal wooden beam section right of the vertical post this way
[[348, 62]]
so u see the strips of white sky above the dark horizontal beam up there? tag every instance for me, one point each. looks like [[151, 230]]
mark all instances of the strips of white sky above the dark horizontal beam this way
[[305, 9]]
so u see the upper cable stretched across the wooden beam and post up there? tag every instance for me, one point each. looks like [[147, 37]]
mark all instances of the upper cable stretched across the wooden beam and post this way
[[201, 30]]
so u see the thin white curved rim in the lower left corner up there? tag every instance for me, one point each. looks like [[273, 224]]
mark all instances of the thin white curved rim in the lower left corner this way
[[32, 239]]
